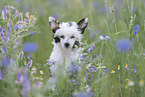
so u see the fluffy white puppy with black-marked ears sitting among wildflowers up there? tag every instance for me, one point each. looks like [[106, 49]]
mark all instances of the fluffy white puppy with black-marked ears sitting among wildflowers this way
[[67, 38]]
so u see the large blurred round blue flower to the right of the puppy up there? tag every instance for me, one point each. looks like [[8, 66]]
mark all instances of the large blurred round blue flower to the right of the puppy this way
[[123, 44]]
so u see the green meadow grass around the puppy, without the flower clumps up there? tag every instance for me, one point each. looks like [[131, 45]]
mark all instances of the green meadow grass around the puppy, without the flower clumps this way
[[116, 23]]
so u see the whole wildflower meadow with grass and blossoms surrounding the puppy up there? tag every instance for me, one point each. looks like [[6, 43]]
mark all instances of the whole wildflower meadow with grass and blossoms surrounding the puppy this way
[[112, 62]]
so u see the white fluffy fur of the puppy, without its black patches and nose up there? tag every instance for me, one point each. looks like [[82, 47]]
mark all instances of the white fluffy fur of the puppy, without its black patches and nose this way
[[62, 56]]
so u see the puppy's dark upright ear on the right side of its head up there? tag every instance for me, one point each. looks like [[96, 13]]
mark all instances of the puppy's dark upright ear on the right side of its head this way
[[82, 24]]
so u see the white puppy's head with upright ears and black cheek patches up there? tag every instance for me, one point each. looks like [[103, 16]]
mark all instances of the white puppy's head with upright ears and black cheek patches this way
[[68, 34]]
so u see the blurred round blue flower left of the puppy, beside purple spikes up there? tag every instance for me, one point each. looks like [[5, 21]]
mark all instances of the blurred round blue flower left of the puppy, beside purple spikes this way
[[30, 47]]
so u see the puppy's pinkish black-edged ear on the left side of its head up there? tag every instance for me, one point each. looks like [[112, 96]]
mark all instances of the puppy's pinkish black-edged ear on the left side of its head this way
[[54, 24]]
